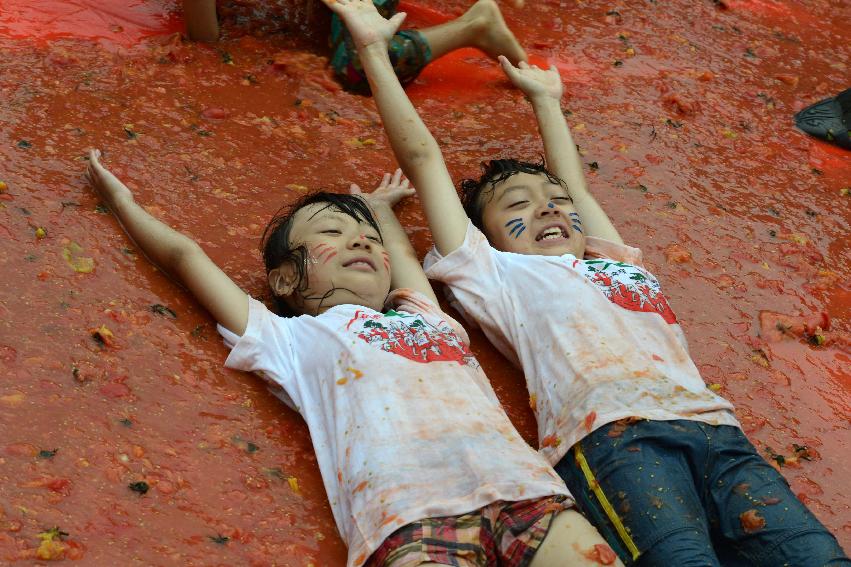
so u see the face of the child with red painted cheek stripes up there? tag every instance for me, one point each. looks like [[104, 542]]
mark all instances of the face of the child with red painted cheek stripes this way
[[343, 255]]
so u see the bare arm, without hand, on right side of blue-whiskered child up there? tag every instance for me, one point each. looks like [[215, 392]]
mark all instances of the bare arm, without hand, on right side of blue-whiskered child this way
[[564, 161]]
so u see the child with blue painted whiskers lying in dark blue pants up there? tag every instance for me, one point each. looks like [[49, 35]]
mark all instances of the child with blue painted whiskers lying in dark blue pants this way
[[656, 459]]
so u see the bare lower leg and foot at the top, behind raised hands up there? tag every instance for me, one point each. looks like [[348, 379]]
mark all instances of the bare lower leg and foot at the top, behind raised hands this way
[[482, 27]]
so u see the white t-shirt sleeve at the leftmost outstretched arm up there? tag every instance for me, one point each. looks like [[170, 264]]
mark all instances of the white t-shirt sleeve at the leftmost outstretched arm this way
[[265, 348]]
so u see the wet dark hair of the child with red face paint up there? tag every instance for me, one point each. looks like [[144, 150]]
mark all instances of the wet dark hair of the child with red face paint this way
[[278, 249]]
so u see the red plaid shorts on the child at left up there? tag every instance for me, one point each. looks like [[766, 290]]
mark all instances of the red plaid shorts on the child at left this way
[[502, 533]]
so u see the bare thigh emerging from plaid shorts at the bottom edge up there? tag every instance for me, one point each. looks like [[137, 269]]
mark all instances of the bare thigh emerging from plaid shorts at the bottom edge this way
[[572, 540]]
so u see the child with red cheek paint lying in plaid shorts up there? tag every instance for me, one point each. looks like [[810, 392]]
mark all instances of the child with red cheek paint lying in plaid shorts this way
[[420, 462]]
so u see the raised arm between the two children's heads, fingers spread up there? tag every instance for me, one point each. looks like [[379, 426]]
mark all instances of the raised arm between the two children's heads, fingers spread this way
[[405, 268]]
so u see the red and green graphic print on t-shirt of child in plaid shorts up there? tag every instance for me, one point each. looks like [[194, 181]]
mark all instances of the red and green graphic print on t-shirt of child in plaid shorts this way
[[412, 337]]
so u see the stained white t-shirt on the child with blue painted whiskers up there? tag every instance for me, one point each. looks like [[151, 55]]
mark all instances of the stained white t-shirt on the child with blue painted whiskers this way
[[595, 337]]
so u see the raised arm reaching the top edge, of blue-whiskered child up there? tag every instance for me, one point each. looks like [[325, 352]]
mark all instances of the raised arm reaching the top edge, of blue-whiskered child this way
[[414, 146]]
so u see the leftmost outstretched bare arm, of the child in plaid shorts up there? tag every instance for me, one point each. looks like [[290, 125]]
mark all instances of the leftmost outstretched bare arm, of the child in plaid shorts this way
[[173, 252]]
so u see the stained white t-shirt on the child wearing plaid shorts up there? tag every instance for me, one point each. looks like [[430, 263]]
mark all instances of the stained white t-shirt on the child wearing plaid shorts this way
[[404, 422]]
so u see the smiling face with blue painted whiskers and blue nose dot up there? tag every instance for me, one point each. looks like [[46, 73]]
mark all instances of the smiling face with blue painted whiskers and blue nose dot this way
[[527, 214]]
